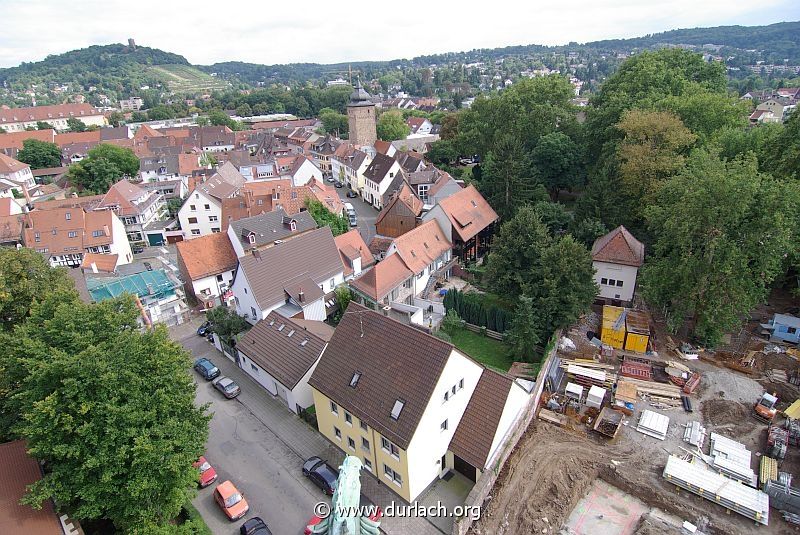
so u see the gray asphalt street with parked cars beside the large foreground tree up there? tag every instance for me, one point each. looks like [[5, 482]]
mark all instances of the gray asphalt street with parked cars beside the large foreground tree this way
[[245, 451]]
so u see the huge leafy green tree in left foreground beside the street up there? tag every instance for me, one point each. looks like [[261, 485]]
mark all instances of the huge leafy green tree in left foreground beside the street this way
[[108, 409]]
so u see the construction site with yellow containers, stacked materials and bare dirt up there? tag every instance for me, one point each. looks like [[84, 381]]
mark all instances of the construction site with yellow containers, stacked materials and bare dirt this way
[[638, 432]]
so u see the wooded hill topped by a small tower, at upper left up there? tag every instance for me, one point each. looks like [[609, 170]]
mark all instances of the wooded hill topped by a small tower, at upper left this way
[[116, 71]]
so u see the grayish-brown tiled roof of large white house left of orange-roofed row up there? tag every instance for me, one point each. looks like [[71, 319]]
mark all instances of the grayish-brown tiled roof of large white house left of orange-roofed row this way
[[312, 255]]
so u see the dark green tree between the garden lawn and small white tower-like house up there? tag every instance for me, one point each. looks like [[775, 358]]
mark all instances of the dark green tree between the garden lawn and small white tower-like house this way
[[555, 272]]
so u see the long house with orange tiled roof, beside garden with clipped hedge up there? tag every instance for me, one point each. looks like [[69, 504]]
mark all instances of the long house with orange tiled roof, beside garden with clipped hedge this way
[[412, 262]]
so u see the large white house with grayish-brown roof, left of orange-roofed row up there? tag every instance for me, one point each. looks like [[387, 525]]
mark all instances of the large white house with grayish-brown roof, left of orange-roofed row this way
[[295, 278]]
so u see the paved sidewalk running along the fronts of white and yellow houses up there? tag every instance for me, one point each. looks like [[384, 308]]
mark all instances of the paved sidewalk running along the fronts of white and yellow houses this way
[[296, 434]]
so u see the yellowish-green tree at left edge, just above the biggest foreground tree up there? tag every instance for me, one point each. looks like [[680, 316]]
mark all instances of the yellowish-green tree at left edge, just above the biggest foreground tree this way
[[25, 279]]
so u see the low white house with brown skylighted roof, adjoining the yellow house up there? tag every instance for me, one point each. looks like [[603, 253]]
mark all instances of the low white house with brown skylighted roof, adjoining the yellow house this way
[[281, 355]]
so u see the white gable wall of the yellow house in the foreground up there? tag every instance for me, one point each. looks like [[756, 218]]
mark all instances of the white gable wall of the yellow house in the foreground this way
[[430, 443]]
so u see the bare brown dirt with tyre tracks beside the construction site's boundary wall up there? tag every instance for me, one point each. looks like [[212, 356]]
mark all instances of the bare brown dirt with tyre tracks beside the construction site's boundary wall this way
[[551, 470]]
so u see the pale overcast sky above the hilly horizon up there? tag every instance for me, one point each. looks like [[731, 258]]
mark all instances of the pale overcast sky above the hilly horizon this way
[[338, 31]]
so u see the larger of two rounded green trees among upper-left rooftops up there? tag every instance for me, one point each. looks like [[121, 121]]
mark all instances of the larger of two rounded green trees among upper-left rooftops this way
[[104, 165]]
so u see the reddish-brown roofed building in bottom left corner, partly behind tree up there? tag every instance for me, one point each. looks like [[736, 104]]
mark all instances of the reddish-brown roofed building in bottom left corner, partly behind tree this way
[[18, 473]]
